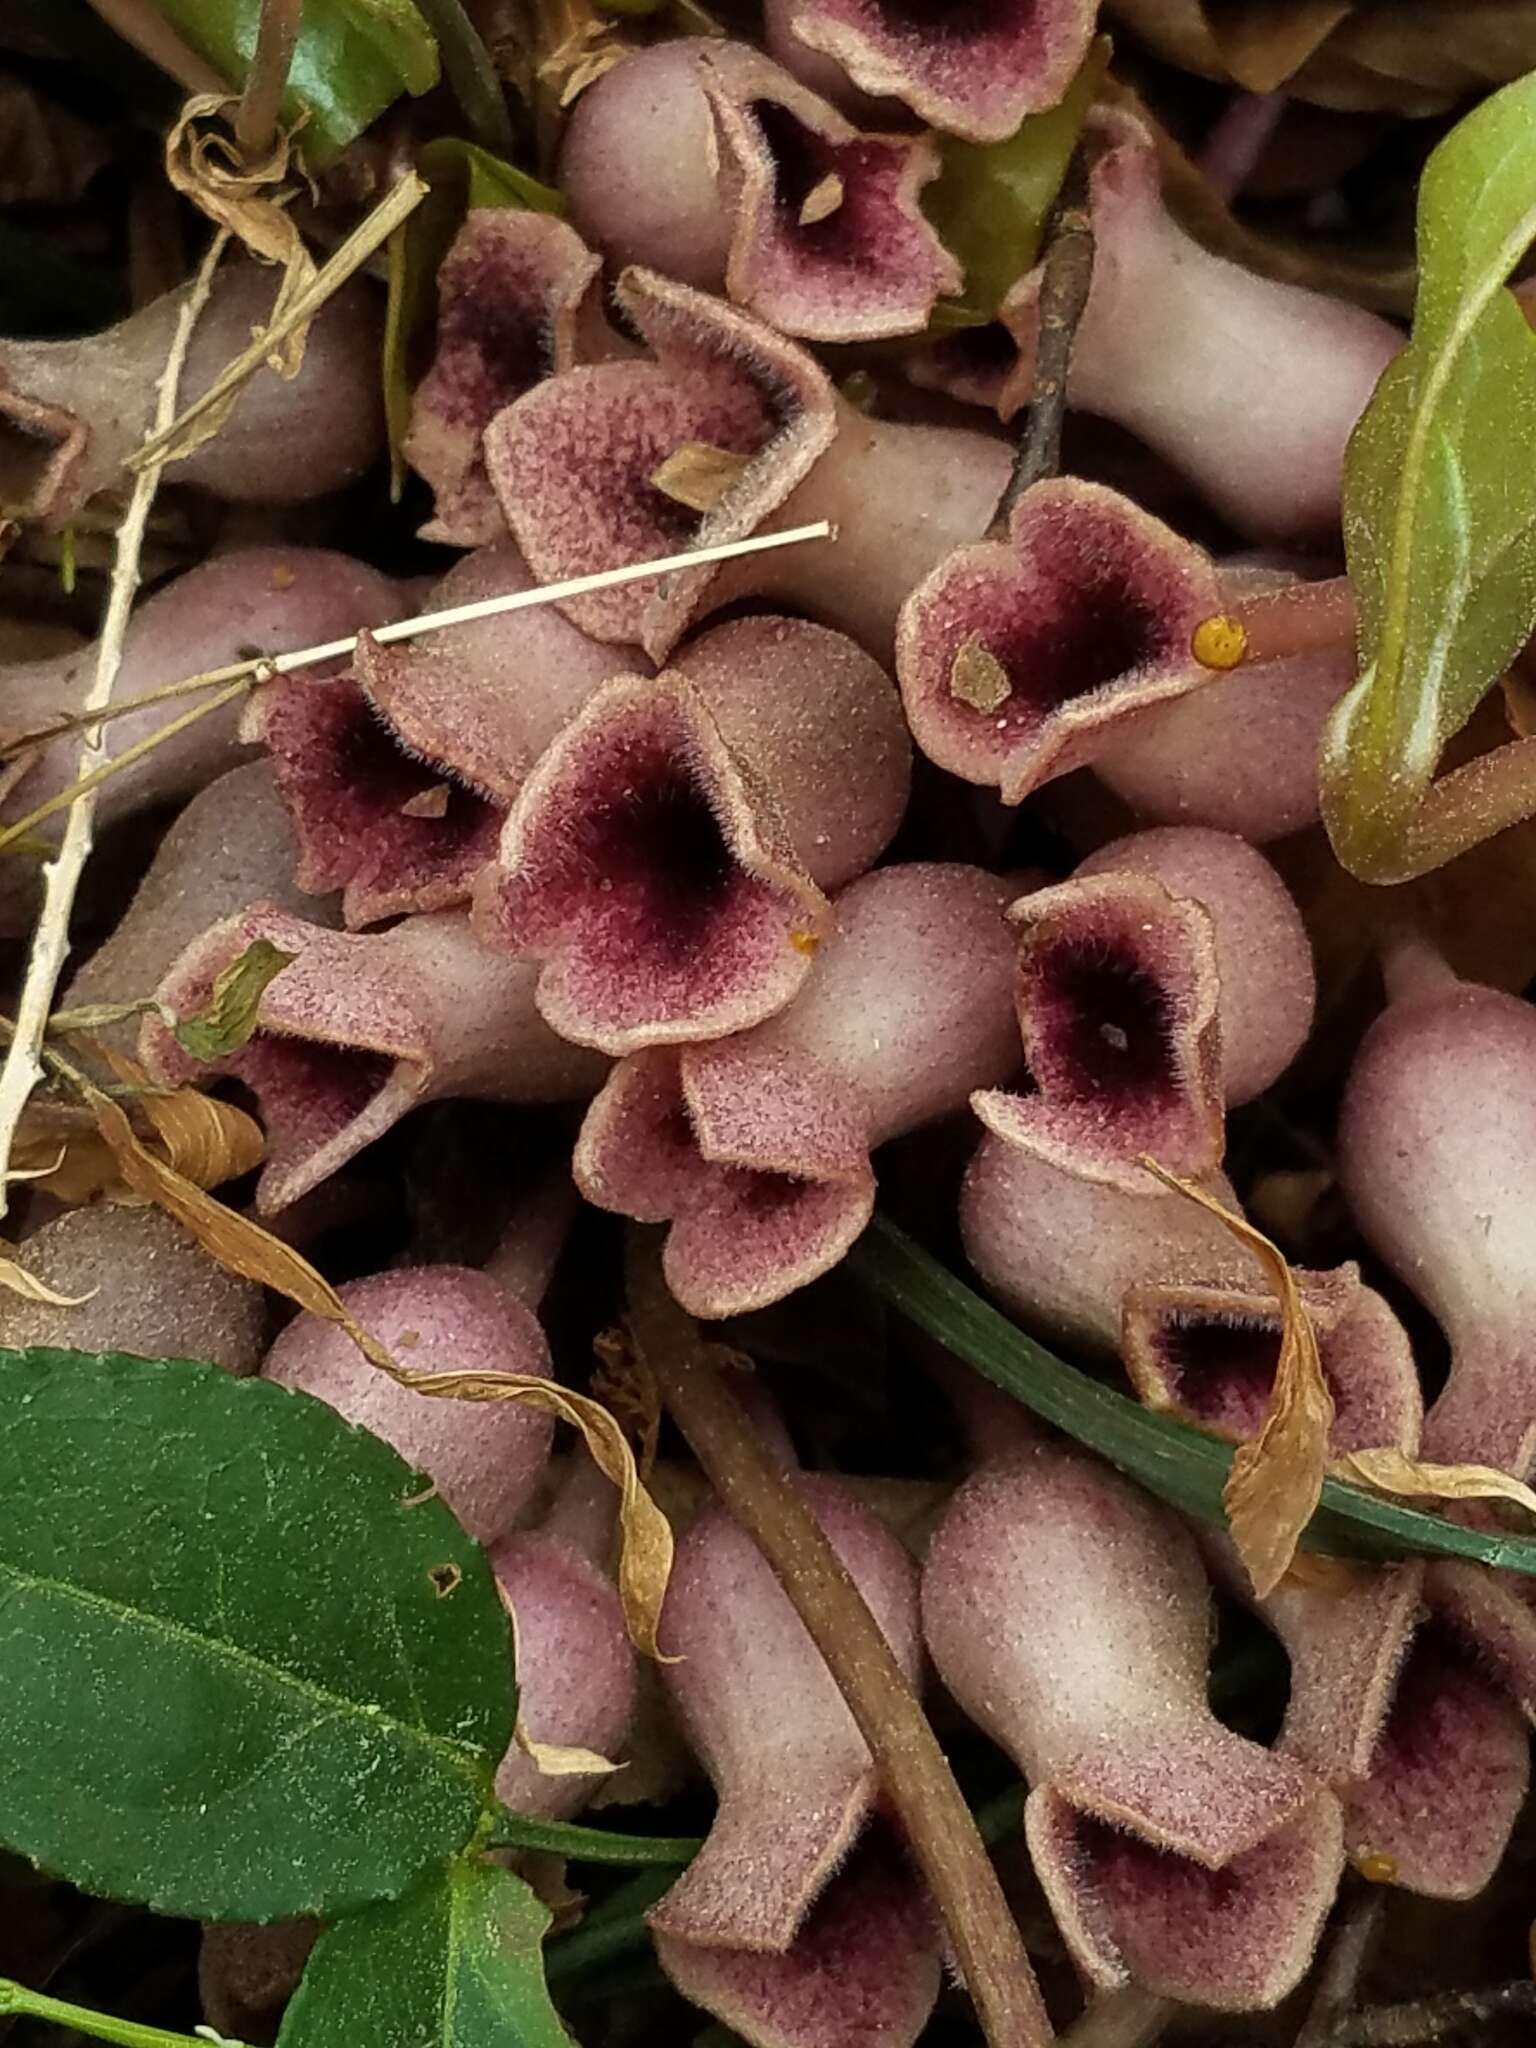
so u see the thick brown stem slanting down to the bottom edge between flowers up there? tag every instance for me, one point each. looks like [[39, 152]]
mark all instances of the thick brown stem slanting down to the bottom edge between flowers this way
[[912, 1766]]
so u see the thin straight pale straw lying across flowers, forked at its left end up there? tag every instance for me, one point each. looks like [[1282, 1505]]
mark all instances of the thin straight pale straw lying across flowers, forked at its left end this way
[[241, 677]]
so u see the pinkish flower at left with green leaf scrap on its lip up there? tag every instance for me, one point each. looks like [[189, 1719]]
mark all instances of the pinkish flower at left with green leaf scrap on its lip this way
[[364, 1029]]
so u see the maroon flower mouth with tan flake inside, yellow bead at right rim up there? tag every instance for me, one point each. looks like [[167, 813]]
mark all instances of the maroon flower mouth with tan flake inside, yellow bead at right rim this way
[[1025, 658]]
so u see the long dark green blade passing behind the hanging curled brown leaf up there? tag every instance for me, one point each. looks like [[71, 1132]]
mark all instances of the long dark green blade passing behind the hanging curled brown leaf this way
[[1177, 1463]]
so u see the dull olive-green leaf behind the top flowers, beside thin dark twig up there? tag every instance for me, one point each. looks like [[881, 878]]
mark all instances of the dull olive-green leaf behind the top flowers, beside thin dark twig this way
[[992, 202]]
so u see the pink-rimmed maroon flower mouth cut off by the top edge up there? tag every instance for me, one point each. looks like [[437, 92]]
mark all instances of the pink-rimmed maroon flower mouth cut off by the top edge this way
[[974, 67]]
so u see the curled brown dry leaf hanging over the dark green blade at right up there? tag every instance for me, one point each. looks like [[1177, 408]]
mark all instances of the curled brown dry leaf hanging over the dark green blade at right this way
[[1277, 1478]]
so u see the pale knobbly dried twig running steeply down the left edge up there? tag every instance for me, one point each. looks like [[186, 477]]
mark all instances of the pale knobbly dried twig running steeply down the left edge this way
[[24, 1066]]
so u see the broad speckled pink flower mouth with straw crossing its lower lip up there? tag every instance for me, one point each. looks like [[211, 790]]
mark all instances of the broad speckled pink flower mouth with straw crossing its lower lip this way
[[574, 460]]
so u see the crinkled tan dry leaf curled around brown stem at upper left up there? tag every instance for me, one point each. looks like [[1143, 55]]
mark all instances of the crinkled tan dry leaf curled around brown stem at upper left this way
[[251, 204]]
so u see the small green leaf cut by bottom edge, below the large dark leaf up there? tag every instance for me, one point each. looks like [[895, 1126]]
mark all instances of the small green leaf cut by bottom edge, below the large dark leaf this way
[[456, 1965]]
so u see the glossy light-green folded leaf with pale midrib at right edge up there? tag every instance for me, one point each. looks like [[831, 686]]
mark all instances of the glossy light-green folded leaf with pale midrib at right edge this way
[[1439, 507]]
